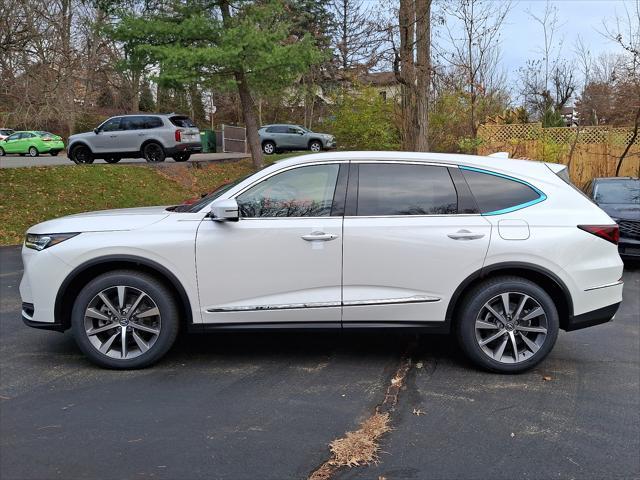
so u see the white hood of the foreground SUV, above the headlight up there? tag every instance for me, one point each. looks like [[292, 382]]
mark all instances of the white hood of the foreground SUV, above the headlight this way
[[103, 220]]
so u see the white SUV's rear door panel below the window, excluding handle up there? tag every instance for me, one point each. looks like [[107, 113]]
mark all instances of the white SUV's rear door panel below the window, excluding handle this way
[[409, 262]]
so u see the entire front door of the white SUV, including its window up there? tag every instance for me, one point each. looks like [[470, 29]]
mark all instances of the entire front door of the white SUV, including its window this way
[[282, 261]]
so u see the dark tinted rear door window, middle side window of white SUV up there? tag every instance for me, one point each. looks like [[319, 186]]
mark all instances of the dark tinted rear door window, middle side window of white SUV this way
[[396, 189]]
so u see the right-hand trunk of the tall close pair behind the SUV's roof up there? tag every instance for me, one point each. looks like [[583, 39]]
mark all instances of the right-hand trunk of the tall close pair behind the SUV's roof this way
[[423, 72]]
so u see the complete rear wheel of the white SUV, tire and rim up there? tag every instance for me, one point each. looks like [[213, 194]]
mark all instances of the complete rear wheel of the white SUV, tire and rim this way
[[475, 325]]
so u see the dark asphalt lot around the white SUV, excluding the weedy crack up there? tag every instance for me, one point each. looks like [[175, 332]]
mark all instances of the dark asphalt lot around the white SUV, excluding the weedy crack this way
[[265, 406]]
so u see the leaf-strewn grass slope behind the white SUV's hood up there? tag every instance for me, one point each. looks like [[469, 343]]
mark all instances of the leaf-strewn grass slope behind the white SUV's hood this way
[[33, 195]]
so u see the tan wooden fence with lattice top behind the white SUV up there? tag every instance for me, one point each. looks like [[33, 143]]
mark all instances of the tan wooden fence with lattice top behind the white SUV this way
[[591, 151]]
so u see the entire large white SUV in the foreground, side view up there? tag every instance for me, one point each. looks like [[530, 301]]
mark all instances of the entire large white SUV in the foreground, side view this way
[[503, 253]]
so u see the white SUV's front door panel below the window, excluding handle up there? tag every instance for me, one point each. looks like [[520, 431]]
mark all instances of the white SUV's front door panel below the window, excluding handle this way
[[262, 270]]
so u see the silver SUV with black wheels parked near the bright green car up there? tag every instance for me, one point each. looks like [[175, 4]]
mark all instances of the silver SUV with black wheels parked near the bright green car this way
[[152, 137]]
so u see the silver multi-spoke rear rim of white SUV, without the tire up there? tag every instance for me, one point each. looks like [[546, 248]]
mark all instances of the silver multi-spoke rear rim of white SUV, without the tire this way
[[511, 327]]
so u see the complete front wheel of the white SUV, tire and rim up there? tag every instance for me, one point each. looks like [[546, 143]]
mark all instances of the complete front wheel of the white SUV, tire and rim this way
[[146, 342]]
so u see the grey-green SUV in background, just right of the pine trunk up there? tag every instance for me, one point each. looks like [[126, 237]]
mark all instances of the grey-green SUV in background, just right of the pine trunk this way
[[293, 137]]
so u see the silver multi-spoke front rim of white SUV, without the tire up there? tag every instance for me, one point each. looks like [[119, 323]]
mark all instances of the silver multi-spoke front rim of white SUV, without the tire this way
[[122, 322]]
